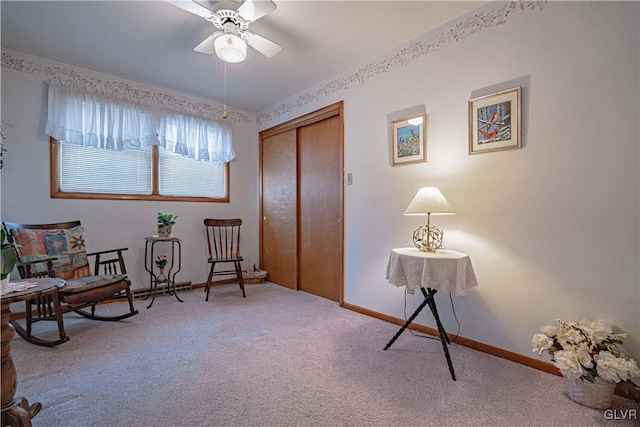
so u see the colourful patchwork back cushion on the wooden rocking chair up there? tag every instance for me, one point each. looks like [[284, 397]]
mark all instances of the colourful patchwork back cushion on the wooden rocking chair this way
[[65, 245]]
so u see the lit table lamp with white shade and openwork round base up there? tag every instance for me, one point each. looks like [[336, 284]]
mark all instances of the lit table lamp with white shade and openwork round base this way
[[428, 200]]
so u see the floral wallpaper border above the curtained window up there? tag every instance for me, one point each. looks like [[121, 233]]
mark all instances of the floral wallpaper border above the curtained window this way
[[122, 91]]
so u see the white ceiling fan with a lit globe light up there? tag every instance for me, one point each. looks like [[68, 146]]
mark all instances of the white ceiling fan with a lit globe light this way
[[232, 19]]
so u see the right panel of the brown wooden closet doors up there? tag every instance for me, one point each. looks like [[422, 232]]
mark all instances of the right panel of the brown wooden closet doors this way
[[320, 245]]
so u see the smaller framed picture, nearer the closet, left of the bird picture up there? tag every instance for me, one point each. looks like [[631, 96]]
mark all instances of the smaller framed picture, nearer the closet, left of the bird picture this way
[[408, 144]]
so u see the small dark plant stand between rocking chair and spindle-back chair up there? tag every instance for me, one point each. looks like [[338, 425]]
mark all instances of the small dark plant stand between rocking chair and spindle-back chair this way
[[149, 262]]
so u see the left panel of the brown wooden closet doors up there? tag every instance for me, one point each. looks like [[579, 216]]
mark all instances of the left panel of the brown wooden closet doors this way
[[279, 208]]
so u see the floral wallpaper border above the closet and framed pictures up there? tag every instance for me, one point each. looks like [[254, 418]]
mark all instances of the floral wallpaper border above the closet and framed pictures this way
[[404, 56]]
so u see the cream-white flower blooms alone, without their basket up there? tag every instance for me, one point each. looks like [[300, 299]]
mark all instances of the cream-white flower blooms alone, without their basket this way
[[587, 350]]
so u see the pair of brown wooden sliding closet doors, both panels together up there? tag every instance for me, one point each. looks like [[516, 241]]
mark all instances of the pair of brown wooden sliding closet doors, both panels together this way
[[302, 203]]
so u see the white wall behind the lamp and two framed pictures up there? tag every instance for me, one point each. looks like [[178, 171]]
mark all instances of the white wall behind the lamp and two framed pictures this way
[[553, 229]]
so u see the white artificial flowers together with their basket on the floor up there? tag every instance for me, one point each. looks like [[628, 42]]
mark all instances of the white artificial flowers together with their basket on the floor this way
[[587, 354]]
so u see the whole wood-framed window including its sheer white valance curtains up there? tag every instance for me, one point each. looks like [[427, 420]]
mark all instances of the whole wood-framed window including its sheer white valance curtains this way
[[102, 148]]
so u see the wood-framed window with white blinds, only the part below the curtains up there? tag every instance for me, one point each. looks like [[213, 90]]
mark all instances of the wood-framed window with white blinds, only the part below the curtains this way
[[152, 174]]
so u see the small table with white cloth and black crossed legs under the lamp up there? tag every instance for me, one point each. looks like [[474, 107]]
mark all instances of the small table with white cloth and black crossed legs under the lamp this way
[[444, 270]]
